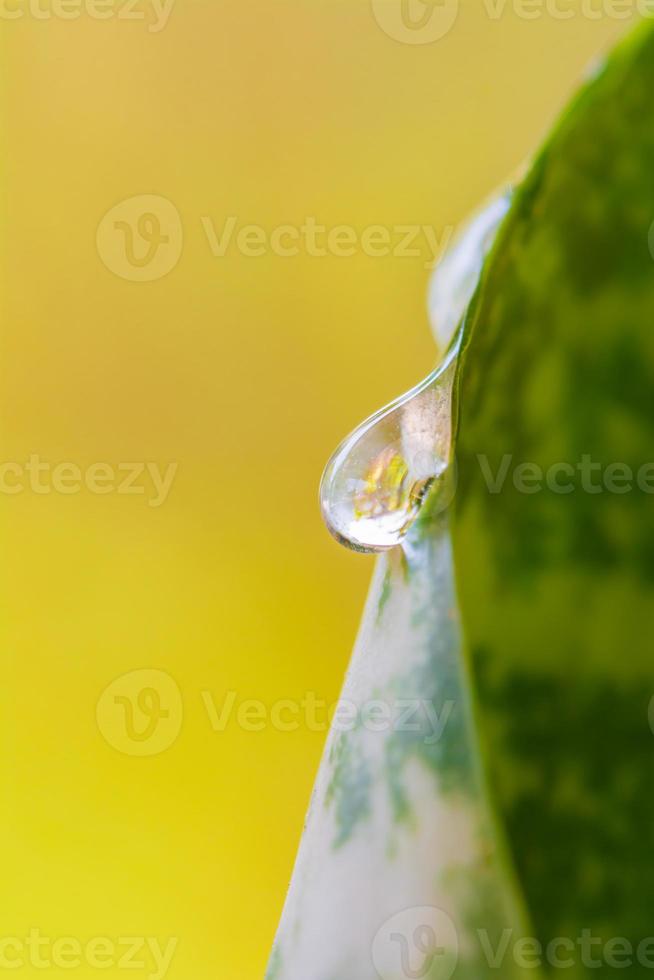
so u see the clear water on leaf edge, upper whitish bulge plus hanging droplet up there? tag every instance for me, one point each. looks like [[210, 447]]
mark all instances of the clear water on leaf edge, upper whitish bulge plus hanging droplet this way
[[377, 480]]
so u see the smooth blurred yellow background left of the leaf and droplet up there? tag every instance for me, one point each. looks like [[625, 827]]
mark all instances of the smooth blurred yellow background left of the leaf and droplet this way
[[176, 619]]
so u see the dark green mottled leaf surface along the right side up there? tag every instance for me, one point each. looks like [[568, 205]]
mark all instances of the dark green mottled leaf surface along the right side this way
[[557, 588]]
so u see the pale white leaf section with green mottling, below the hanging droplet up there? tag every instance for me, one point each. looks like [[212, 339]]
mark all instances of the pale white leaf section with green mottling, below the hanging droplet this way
[[400, 858]]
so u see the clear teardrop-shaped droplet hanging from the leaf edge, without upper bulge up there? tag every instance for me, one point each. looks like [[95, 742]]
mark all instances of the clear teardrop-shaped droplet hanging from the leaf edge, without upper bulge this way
[[377, 480]]
